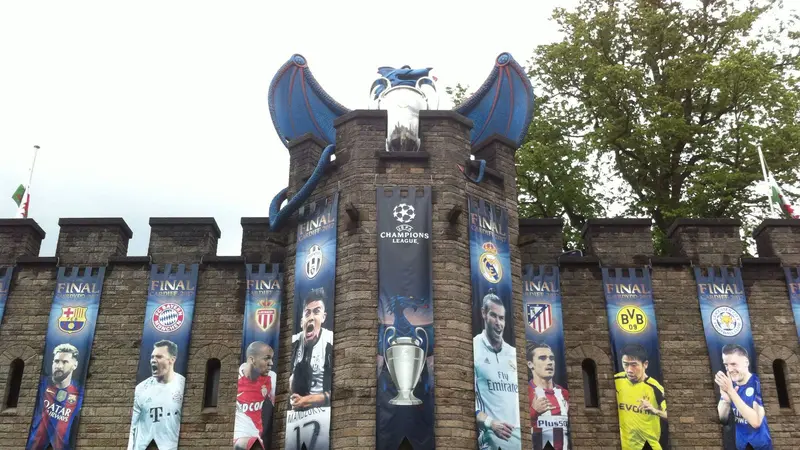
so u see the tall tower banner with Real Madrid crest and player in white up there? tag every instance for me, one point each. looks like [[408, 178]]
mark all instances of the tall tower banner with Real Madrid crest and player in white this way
[[494, 351]]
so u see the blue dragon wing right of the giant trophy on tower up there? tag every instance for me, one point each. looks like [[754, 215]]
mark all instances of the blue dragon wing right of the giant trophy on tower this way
[[503, 104]]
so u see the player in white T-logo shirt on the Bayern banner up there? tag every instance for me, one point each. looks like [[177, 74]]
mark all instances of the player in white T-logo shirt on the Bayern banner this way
[[157, 402]]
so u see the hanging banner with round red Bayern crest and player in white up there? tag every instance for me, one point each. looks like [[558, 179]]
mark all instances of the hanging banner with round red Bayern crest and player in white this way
[[163, 358]]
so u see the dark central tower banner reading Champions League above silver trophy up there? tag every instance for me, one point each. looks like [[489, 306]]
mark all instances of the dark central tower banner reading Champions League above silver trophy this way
[[405, 318]]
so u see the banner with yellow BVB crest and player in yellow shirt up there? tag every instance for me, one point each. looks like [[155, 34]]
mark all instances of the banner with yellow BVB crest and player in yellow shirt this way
[[641, 404]]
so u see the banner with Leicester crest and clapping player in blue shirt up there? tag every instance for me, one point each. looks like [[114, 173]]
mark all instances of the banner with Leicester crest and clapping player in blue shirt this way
[[726, 321]]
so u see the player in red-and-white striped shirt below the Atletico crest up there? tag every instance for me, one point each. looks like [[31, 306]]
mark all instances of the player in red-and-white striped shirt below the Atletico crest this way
[[549, 402]]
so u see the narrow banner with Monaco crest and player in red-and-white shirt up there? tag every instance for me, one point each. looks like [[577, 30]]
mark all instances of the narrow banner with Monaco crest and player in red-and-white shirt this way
[[255, 392]]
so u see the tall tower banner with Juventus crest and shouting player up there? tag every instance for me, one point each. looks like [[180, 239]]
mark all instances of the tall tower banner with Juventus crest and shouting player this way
[[308, 416]]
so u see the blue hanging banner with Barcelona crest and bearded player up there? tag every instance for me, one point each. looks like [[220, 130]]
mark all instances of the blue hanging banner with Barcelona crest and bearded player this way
[[68, 343]]
